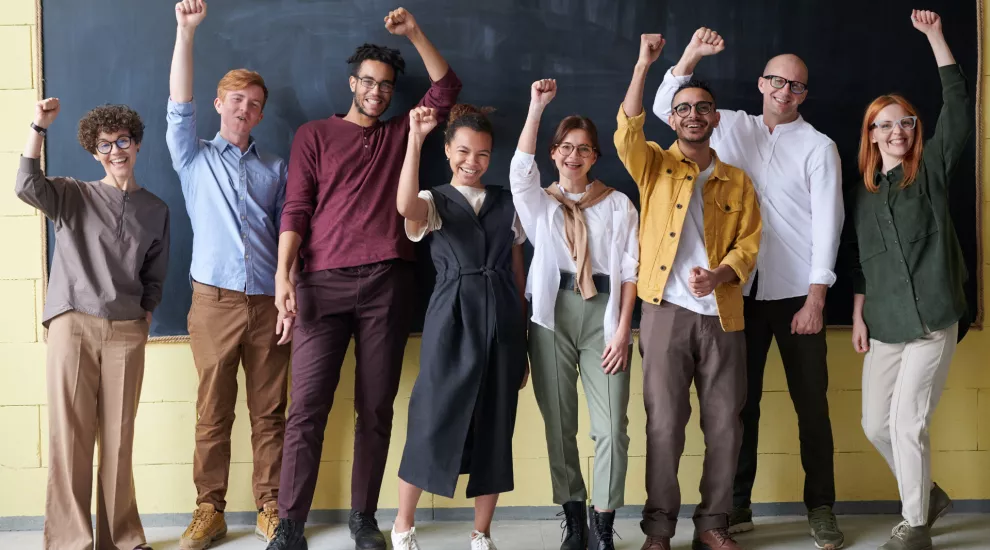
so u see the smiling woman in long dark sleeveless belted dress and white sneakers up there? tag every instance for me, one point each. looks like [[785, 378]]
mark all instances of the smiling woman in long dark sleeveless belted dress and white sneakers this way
[[462, 411]]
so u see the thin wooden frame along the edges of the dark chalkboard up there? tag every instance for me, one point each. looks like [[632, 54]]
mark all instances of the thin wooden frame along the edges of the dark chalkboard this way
[[981, 112]]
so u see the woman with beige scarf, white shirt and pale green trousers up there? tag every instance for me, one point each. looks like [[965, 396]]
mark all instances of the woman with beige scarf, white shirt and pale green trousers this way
[[582, 283]]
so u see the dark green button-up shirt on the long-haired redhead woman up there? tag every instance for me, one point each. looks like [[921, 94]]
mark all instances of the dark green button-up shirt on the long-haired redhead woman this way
[[906, 257]]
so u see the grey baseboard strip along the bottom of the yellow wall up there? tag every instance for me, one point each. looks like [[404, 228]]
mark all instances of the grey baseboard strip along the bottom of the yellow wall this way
[[516, 513]]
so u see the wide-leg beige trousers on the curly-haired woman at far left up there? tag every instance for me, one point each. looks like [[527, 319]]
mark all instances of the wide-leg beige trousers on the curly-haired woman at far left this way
[[95, 367]]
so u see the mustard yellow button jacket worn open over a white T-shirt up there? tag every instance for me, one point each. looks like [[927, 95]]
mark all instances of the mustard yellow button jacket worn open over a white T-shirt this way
[[666, 181]]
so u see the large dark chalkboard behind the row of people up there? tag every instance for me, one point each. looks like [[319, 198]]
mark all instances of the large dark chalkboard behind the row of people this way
[[112, 51]]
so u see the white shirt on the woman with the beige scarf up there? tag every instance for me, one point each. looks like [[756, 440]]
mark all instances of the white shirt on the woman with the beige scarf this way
[[613, 226]]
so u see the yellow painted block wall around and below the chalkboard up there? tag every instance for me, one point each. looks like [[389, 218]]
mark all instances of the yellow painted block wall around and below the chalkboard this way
[[164, 442]]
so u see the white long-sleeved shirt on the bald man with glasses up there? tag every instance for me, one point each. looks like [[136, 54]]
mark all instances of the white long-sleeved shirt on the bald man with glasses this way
[[798, 179]]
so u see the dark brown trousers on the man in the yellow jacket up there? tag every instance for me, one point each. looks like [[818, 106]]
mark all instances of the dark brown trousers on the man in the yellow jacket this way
[[678, 346]]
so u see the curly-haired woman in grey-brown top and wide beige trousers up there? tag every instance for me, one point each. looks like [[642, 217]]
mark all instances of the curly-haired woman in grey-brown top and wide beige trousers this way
[[111, 256]]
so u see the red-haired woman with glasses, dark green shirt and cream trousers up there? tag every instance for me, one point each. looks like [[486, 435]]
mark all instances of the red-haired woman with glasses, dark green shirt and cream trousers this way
[[908, 279]]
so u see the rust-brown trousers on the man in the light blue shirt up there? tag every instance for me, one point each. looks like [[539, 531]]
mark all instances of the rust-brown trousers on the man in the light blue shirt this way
[[226, 328]]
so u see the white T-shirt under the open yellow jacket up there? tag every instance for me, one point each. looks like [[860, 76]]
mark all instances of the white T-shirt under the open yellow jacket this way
[[691, 252]]
